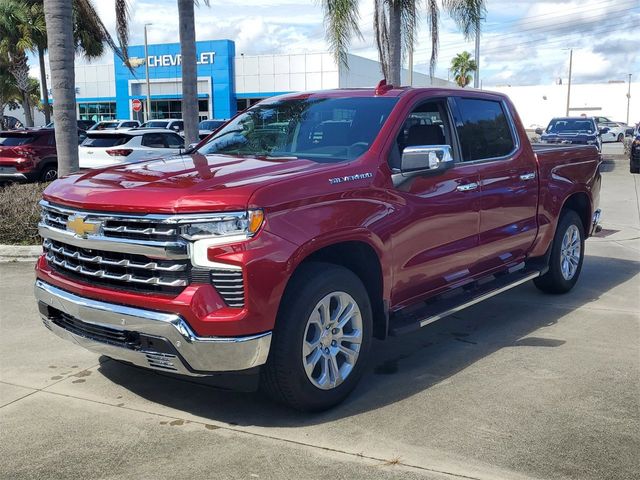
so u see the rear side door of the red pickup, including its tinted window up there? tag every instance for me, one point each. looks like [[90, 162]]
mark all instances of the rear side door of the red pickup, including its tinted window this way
[[508, 180]]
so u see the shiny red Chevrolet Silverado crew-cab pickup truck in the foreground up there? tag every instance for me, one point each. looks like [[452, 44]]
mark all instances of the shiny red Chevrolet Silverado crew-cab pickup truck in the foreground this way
[[307, 225]]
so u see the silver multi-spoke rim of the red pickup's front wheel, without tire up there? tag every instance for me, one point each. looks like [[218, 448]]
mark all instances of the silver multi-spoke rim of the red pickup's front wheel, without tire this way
[[332, 339]]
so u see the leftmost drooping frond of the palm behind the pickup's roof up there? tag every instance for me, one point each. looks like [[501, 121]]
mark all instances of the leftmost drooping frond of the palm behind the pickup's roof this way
[[341, 22]]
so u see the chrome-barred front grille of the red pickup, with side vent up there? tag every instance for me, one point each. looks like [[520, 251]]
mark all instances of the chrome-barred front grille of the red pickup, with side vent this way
[[141, 253]]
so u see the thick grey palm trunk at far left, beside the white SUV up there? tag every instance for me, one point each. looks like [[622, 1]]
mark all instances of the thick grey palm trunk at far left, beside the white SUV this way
[[59, 18]]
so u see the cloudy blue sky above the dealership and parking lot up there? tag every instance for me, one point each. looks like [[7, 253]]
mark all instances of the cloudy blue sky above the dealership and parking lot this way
[[523, 42]]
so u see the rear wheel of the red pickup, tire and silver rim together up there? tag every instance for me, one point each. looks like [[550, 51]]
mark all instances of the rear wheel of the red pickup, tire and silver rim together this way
[[567, 255]]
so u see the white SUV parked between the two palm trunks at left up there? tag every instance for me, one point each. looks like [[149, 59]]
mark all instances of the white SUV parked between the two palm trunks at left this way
[[107, 148]]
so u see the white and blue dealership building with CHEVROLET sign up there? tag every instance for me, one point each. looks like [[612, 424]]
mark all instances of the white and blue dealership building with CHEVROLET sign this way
[[227, 81]]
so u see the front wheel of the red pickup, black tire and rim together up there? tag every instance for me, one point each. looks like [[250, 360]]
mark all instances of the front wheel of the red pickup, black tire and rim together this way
[[322, 338]]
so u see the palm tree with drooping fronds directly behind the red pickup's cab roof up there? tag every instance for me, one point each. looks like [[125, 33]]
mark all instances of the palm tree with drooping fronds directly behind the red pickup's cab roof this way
[[395, 24]]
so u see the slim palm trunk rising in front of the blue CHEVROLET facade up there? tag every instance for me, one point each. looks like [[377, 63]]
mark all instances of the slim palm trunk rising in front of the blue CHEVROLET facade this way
[[189, 76]]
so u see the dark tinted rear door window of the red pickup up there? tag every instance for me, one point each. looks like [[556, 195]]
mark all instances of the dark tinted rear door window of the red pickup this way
[[483, 129]]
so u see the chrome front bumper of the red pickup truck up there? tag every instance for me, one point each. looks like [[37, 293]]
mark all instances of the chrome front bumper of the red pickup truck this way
[[160, 341]]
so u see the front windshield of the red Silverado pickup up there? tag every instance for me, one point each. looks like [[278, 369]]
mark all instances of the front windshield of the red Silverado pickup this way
[[320, 129]]
